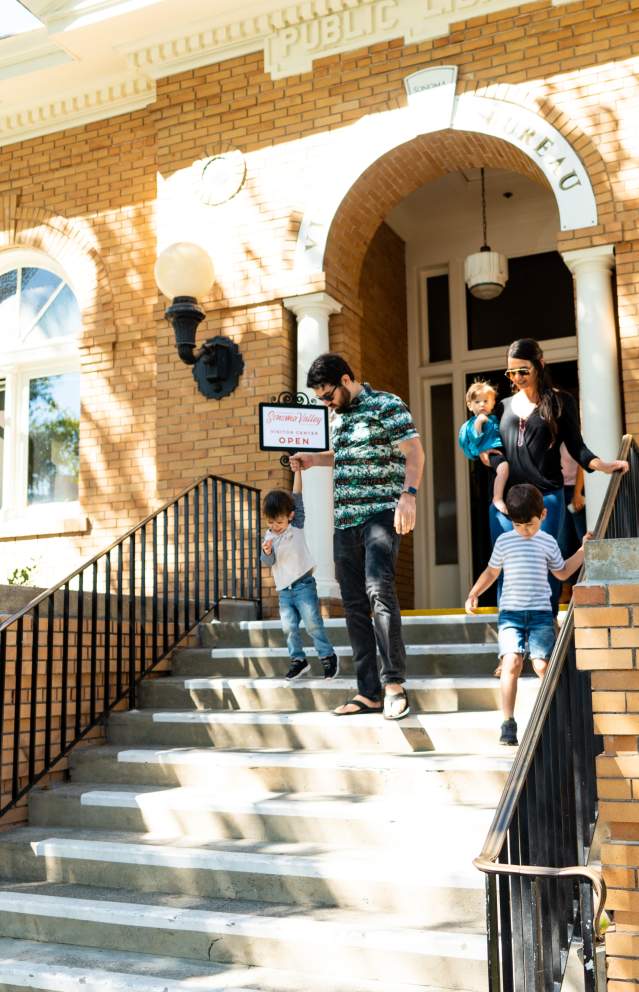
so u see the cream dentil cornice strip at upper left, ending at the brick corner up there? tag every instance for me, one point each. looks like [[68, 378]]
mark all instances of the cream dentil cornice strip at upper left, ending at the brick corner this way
[[113, 96]]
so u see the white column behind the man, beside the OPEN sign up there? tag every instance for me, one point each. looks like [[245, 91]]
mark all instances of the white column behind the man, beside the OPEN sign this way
[[312, 312]]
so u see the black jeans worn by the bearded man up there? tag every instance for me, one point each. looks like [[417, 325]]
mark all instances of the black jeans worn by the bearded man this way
[[365, 559]]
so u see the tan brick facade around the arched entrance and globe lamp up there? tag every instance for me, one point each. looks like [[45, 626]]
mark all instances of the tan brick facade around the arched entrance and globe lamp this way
[[92, 197]]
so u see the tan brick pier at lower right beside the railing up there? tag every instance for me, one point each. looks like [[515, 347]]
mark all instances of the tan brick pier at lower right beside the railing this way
[[607, 641]]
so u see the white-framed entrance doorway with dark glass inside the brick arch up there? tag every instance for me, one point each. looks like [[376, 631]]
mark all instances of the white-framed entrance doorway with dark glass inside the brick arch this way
[[454, 338]]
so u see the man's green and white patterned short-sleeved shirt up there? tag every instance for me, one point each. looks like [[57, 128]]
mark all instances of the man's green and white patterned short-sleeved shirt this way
[[369, 467]]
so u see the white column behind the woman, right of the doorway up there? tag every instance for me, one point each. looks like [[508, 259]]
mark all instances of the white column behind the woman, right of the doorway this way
[[599, 386]]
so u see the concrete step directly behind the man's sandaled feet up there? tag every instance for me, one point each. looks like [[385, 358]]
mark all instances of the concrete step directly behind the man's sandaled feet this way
[[437, 695]]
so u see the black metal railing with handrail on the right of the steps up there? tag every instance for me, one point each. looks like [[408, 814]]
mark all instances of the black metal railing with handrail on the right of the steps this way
[[539, 891]]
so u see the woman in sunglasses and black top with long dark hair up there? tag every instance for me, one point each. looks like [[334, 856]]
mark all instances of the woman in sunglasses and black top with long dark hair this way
[[533, 423]]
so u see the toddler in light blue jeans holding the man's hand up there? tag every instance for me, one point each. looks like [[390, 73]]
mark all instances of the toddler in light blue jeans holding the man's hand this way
[[285, 550]]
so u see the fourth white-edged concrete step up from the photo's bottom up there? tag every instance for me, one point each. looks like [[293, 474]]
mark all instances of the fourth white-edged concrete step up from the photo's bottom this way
[[297, 817]]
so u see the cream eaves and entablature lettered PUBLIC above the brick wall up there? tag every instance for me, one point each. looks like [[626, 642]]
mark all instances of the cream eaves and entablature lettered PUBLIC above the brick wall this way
[[292, 37]]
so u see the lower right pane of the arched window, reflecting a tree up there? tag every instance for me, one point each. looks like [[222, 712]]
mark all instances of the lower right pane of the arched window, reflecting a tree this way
[[54, 422]]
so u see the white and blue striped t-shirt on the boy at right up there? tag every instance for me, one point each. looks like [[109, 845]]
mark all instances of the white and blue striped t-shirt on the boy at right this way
[[525, 562]]
